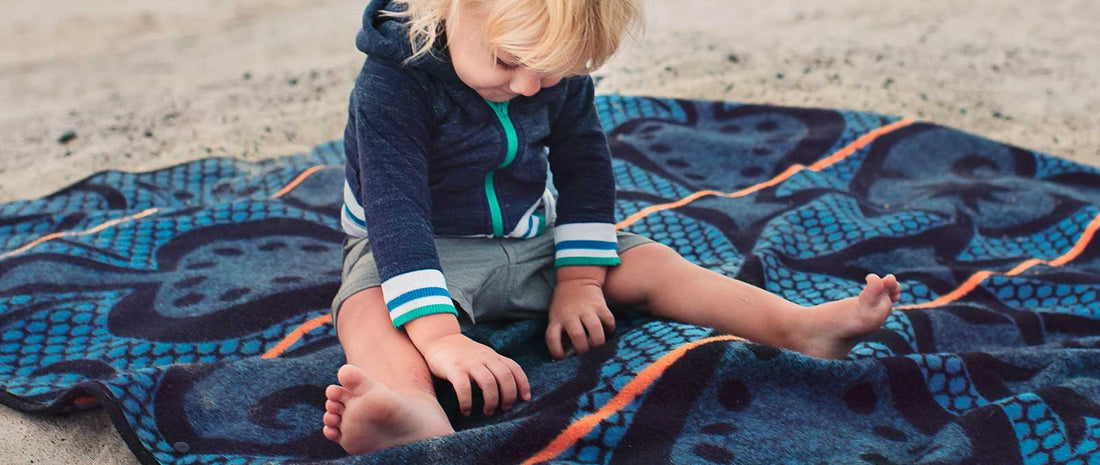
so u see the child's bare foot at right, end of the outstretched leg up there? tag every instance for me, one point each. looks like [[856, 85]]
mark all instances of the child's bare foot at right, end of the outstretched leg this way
[[830, 330]]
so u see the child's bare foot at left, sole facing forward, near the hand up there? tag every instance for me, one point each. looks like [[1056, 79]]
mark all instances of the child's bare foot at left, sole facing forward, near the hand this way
[[365, 416]]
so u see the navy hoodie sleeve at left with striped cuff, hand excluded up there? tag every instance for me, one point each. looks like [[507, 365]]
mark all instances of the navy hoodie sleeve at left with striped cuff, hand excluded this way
[[388, 134]]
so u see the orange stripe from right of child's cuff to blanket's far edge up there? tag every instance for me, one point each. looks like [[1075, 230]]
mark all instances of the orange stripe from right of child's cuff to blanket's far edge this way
[[791, 171]]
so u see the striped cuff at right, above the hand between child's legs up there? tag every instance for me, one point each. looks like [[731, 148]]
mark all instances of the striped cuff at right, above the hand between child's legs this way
[[586, 245]]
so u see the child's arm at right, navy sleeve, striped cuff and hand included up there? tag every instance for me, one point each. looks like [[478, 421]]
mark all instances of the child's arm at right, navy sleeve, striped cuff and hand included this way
[[585, 235]]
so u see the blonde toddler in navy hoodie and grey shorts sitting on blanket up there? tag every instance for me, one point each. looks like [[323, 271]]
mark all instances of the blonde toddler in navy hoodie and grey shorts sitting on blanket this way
[[461, 109]]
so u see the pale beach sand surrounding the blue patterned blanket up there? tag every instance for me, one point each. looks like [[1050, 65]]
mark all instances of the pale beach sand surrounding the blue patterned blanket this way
[[148, 85]]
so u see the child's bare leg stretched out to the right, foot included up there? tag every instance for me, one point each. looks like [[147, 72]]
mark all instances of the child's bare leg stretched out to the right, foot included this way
[[655, 279]]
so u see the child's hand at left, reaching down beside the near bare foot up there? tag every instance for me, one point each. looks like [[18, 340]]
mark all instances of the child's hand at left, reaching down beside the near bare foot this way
[[459, 360]]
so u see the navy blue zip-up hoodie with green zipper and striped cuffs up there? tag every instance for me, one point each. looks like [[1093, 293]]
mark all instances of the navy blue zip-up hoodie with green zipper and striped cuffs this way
[[427, 157]]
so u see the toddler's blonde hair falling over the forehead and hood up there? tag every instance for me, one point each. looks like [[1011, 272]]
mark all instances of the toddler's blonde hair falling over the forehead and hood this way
[[554, 37]]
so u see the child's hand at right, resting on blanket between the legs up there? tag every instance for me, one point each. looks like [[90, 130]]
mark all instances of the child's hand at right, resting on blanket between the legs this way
[[579, 308]]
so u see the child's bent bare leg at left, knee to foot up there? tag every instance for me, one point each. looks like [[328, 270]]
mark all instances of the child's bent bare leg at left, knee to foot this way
[[386, 397]]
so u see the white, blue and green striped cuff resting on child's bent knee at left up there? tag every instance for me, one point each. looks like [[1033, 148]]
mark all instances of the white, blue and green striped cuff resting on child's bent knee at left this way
[[417, 294]]
